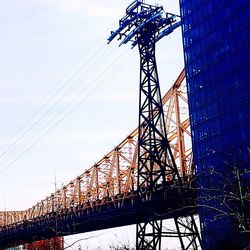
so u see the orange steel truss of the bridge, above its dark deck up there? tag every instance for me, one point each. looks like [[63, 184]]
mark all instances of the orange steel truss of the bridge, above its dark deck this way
[[115, 175]]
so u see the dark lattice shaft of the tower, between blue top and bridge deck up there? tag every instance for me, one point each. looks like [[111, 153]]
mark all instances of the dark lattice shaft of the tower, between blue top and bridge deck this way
[[155, 159]]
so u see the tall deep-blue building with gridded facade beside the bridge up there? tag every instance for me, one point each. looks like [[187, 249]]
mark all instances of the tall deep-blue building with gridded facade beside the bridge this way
[[216, 40]]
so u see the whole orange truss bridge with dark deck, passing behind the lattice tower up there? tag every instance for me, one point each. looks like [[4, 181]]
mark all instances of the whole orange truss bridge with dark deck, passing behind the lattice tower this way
[[105, 195]]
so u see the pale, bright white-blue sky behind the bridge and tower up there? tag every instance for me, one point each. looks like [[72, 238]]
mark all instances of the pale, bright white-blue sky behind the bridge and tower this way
[[66, 97]]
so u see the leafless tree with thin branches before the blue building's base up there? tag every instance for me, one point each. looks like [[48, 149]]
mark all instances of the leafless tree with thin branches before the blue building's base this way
[[224, 195]]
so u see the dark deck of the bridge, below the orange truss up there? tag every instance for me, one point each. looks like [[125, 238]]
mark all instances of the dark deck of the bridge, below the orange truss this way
[[86, 218]]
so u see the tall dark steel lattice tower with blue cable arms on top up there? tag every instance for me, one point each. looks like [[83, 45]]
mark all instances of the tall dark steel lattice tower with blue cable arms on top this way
[[144, 25]]
